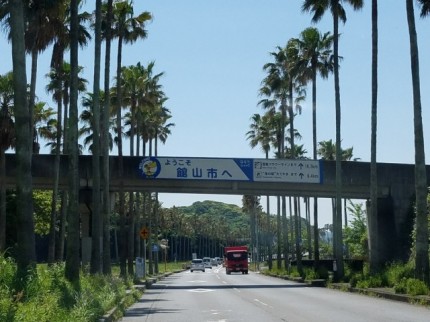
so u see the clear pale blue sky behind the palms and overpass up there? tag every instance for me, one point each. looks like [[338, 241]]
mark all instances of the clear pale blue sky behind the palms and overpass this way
[[212, 53]]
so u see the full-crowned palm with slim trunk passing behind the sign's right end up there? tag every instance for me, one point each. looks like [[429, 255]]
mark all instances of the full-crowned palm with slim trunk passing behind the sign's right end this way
[[315, 58]]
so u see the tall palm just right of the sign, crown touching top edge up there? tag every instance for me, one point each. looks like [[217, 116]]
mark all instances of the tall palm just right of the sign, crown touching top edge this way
[[318, 8]]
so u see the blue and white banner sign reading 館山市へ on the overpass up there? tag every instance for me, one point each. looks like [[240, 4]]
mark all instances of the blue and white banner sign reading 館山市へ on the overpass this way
[[259, 170]]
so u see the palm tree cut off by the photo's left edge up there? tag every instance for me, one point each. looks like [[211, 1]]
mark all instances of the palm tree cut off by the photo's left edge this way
[[7, 140]]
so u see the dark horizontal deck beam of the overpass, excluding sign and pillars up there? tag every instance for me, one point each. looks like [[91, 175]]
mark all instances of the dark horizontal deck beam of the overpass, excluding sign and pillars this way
[[355, 183]]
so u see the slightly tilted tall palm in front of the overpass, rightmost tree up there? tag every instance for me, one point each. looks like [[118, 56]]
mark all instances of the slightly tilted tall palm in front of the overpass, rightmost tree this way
[[422, 234]]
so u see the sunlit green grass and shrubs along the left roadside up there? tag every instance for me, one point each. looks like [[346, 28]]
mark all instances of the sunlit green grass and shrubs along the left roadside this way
[[48, 296]]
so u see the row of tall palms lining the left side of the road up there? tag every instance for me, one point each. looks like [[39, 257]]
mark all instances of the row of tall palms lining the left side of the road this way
[[64, 31]]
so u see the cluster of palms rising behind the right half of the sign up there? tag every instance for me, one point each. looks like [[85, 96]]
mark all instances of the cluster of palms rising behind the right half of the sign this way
[[295, 65]]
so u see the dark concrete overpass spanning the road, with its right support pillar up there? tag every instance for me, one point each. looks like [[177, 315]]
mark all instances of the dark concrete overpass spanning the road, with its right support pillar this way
[[396, 188]]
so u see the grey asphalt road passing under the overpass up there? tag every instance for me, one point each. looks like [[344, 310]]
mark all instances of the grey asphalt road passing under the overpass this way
[[214, 296]]
